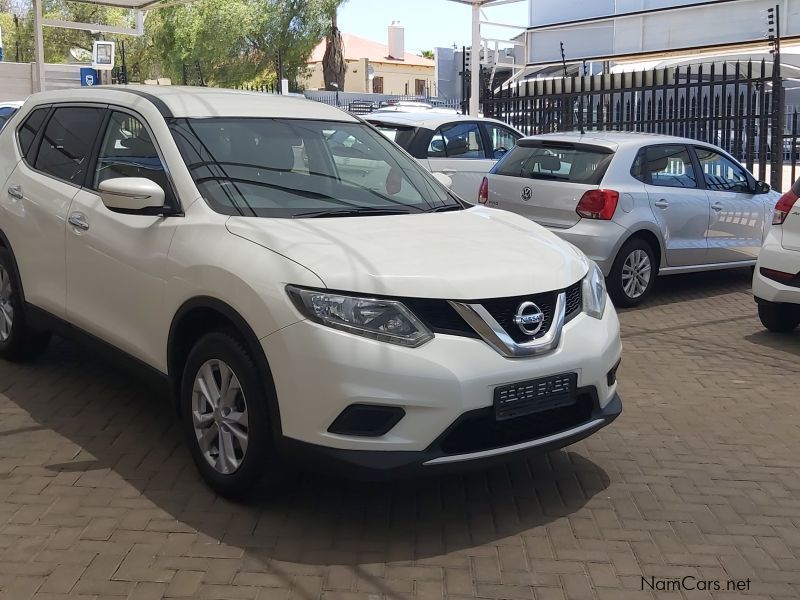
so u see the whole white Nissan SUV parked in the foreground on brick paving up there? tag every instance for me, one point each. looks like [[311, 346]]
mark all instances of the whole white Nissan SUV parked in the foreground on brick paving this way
[[307, 290]]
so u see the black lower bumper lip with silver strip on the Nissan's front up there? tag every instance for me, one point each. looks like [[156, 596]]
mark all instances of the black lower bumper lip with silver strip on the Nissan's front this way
[[443, 454]]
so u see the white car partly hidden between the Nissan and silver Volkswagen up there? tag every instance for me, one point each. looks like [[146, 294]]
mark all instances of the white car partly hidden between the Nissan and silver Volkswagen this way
[[462, 148]]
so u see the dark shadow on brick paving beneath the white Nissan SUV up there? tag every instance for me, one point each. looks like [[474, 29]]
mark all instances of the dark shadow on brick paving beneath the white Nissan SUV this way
[[118, 431]]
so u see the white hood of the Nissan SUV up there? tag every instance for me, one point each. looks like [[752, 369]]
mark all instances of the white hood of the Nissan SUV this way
[[465, 255]]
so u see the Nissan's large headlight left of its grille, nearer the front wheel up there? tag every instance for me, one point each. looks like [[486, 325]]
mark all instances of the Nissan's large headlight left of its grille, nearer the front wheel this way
[[383, 320]]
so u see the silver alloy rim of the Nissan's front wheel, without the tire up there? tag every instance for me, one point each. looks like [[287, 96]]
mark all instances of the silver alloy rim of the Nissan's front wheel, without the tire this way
[[219, 416]]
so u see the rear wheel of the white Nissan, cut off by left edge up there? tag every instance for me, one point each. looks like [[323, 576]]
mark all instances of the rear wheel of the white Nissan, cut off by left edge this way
[[19, 341]]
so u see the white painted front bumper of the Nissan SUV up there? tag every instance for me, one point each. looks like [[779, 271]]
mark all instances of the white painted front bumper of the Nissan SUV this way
[[319, 372]]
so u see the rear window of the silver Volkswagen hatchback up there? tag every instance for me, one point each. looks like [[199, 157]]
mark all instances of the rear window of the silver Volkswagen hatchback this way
[[574, 163]]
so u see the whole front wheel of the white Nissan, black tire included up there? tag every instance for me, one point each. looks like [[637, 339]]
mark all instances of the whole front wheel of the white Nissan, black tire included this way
[[237, 467]]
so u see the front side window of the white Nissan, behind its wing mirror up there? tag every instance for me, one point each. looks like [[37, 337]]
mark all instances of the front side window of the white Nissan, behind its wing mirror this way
[[128, 151]]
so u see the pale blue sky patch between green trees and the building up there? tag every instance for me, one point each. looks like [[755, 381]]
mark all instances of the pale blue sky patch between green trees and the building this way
[[428, 23]]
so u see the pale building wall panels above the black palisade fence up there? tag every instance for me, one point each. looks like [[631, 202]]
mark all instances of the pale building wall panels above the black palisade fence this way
[[611, 32]]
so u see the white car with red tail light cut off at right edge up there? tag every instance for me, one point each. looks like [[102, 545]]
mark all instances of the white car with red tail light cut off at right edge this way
[[776, 281]]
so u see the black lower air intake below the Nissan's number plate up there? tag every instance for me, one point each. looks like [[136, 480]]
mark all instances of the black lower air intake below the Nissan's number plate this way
[[479, 430]]
